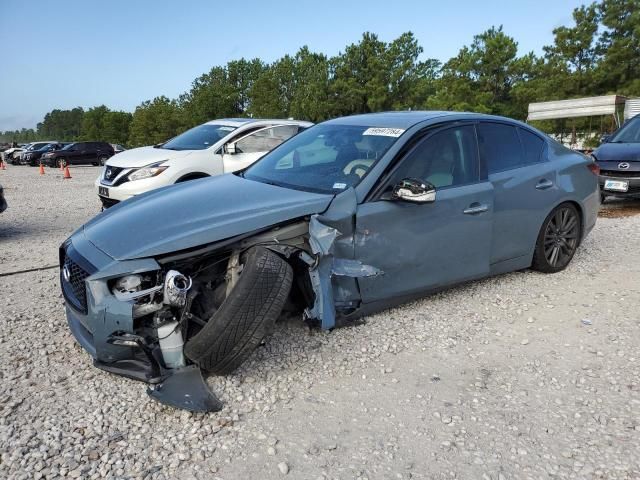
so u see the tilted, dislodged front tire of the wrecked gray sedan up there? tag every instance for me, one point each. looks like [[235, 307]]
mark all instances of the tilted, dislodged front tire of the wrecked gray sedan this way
[[246, 316]]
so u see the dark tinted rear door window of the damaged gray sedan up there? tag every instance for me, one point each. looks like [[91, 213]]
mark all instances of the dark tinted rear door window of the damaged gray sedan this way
[[500, 146]]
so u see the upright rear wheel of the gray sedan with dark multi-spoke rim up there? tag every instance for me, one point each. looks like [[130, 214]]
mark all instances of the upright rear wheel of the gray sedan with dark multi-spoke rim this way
[[558, 239]]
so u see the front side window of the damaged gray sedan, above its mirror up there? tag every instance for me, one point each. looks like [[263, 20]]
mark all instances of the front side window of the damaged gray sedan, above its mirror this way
[[444, 159]]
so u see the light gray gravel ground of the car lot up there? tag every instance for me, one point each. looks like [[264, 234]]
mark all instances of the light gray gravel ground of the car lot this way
[[515, 377]]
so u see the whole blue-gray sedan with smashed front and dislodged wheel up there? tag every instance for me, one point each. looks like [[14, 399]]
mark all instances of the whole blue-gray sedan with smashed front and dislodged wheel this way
[[348, 217]]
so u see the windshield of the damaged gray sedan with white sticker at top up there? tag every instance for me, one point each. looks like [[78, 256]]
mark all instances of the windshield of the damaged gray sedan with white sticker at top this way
[[325, 158]]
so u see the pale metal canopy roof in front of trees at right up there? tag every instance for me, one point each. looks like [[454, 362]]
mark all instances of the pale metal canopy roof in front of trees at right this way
[[579, 107]]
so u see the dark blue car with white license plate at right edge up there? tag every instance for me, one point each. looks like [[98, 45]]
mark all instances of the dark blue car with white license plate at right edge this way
[[619, 161]]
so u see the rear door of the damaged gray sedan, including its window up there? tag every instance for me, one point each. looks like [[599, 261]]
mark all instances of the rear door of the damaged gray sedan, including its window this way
[[524, 186]]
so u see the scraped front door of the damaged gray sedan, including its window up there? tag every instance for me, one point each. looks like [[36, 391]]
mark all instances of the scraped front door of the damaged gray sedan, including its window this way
[[426, 246]]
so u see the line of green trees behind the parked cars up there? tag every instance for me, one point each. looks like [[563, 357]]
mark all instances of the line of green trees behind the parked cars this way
[[598, 54]]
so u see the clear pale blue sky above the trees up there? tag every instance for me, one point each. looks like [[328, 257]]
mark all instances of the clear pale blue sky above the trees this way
[[67, 53]]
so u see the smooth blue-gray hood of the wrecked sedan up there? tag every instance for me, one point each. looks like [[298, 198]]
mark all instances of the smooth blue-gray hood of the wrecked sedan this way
[[196, 213]]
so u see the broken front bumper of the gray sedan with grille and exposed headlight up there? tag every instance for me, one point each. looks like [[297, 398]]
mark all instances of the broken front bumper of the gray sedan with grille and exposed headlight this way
[[124, 330]]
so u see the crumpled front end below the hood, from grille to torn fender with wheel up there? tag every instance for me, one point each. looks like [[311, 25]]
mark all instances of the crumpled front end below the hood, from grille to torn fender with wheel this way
[[160, 319]]
